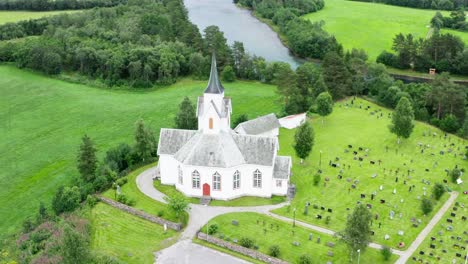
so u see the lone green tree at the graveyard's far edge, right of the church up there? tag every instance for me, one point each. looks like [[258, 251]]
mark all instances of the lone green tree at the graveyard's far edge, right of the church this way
[[402, 119]]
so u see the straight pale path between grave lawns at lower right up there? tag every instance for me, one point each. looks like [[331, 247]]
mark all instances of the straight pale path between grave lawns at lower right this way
[[420, 238]]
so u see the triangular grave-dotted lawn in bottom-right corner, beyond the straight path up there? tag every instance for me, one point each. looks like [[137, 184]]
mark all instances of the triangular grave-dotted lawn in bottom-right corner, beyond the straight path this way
[[447, 239]]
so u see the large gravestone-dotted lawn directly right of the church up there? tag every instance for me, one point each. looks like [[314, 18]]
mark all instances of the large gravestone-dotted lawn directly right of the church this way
[[357, 127]]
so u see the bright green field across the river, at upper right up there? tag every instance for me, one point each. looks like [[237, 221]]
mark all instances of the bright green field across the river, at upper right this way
[[372, 27]]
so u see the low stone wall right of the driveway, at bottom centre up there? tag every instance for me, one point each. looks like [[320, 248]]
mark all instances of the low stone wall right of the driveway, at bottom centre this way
[[240, 249]]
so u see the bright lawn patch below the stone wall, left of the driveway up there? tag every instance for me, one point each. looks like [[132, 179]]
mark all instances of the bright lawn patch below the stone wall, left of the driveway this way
[[126, 237]]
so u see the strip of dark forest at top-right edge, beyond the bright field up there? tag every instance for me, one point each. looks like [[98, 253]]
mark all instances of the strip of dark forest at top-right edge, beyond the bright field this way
[[425, 4]]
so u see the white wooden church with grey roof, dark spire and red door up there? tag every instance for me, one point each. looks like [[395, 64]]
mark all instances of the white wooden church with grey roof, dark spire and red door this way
[[218, 162]]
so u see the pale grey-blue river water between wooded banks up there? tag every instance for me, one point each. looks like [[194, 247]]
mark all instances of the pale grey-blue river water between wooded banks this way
[[239, 25]]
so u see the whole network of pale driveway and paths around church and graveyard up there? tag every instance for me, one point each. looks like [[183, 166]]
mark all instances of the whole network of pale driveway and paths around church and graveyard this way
[[200, 215]]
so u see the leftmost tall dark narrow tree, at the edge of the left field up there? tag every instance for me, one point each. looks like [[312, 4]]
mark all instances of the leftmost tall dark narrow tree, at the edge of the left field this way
[[87, 160]]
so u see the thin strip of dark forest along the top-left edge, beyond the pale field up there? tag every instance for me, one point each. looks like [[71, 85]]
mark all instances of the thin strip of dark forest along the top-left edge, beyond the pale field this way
[[49, 5]]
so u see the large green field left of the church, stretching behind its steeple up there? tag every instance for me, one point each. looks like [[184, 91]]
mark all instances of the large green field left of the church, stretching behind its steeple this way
[[43, 120]]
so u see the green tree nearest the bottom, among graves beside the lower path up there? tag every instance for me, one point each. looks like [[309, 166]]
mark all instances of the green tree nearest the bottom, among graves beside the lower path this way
[[357, 232]]
